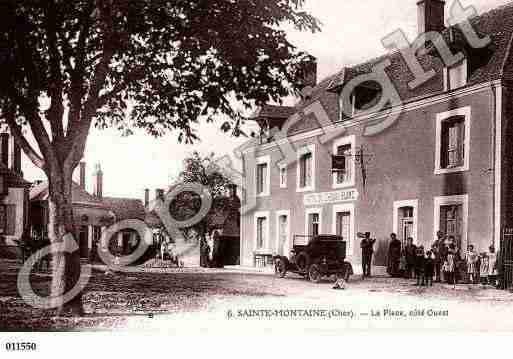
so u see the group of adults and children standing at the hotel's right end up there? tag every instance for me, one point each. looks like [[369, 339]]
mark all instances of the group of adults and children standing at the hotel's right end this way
[[443, 262]]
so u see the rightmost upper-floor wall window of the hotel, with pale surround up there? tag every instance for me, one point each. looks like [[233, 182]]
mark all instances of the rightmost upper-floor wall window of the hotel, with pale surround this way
[[453, 142]]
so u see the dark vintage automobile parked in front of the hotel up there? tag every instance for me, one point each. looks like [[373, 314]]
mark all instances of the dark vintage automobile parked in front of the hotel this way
[[315, 257]]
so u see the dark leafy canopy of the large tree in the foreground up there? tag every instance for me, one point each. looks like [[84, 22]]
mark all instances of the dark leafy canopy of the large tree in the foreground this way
[[167, 62]]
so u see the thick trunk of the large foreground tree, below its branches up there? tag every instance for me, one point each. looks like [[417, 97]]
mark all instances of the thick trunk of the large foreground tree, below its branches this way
[[65, 266]]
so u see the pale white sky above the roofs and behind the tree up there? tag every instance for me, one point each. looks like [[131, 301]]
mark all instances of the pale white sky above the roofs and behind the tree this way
[[351, 33]]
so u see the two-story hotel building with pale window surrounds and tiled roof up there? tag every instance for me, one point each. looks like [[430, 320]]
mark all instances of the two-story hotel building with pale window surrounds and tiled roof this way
[[444, 164]]
